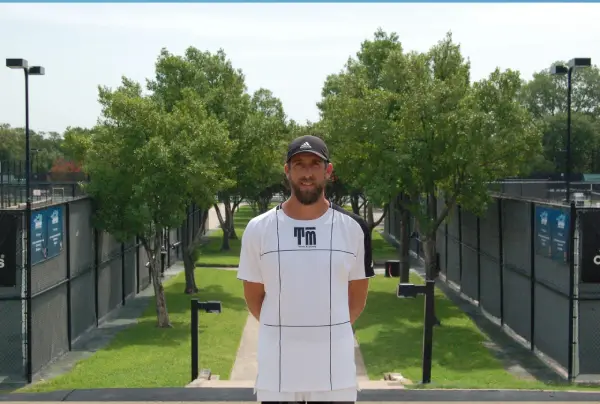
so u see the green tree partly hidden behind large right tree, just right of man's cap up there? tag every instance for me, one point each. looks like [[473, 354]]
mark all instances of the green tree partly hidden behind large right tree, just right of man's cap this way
[[345, 114]]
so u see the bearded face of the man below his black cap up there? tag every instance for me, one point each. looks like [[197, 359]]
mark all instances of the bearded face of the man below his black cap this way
[[308, 175]]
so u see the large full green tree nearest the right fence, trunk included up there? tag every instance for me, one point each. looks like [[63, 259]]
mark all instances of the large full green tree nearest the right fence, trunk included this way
[[452, 138]]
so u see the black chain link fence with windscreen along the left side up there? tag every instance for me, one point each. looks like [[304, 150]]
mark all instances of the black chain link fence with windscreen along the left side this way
[[89, 275]]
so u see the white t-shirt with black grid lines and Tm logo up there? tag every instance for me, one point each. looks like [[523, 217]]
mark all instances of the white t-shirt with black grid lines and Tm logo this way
[[306, 341]]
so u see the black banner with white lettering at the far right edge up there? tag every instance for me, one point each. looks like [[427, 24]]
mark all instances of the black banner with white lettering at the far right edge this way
[[590, 246]]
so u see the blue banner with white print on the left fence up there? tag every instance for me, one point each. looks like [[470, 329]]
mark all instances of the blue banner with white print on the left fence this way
[[46, 234]]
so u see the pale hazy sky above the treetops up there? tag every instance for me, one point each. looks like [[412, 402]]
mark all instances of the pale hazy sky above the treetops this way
[[289, 49]]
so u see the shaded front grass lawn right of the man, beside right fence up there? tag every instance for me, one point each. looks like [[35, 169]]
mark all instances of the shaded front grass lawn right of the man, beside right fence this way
[[390, 332]]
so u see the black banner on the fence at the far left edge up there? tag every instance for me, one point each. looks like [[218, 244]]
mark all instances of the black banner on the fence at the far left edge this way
[[8, 249]]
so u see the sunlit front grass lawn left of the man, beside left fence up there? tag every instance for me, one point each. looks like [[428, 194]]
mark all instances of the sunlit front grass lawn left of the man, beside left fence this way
[[145, 356]]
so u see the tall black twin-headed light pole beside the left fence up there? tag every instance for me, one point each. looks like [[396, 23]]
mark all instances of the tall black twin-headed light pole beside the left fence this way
[[28, 71]]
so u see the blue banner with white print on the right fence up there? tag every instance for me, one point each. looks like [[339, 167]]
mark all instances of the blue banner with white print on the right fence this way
[[552, 233]]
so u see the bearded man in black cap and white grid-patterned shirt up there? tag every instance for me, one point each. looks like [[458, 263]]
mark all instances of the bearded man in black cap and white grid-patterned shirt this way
[[305, 266]]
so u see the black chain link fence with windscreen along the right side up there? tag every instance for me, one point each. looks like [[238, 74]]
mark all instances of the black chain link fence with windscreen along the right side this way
[[501, 263]]
